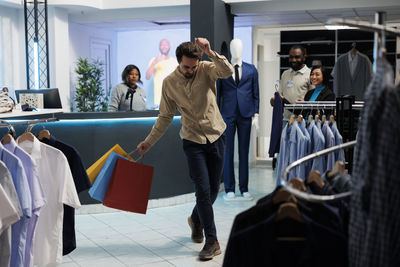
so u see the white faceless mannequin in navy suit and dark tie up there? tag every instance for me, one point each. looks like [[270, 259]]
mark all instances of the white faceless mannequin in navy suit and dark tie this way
[[238, 100]]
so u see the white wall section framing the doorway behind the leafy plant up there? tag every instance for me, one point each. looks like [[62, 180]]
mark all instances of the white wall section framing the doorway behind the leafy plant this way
[[80, 39]]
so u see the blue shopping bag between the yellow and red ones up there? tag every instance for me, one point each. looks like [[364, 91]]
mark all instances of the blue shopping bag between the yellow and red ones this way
[[100, 185]]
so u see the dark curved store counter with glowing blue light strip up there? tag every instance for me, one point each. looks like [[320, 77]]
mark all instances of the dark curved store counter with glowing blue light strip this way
[[93, 134]]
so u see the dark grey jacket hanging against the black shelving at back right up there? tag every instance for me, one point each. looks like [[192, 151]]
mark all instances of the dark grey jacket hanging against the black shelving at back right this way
[[346, 84]]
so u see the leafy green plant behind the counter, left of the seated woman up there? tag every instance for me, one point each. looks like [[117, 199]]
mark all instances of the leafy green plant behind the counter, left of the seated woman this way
[[89, 94]]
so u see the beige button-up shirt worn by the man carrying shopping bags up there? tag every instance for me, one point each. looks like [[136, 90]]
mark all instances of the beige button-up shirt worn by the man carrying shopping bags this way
[[195, 98]]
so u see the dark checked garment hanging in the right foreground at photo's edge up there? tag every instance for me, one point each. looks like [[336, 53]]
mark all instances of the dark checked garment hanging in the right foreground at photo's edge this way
[[375, 205]]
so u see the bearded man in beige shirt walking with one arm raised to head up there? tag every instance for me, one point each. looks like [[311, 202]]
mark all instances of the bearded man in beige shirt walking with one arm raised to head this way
[[191, 89]]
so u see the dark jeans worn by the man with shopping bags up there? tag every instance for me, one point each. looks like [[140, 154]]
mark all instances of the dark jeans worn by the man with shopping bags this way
[[206, 162]]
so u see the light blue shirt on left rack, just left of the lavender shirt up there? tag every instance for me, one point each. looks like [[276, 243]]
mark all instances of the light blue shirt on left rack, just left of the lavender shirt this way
[[19, 229]]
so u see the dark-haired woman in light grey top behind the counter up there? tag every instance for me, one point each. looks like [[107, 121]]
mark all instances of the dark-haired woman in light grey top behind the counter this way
[[127, 96]]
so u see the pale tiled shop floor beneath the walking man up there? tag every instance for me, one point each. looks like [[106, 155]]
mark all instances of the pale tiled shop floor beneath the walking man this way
[[159, 238]]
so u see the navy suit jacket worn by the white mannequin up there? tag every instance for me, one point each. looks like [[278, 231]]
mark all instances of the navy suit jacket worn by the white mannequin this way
[[245, 95]]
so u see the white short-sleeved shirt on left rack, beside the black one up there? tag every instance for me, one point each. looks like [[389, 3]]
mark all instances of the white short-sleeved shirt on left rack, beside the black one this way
[[59, 188]]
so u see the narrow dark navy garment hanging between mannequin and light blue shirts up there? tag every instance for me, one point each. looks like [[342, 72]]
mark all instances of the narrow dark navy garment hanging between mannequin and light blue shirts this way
[[276, 129]]
